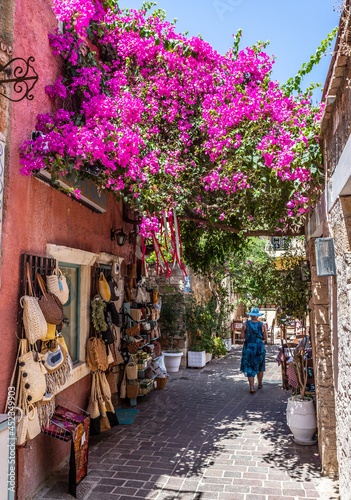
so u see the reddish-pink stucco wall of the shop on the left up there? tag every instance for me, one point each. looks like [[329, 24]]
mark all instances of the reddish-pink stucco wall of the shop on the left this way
[[36, 214]]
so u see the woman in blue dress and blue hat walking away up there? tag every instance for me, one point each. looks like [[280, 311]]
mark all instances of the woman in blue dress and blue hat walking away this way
[[253, 358]]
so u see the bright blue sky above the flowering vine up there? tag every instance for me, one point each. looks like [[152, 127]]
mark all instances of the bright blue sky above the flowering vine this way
[[294, 28]]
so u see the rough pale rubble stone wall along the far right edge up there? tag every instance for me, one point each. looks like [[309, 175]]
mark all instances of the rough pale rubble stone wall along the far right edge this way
[[340, 227]]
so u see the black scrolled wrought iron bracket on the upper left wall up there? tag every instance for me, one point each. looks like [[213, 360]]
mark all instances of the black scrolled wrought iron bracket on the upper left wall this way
[[24, 78]]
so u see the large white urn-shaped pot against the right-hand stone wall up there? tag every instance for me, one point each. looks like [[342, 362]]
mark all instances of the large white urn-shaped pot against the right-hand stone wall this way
[[301, 419]]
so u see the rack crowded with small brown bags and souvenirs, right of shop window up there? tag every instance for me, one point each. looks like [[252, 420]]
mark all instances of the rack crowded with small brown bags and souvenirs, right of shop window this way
[[135, 318]]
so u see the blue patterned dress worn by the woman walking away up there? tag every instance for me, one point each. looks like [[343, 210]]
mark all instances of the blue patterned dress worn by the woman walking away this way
[[253, 359]]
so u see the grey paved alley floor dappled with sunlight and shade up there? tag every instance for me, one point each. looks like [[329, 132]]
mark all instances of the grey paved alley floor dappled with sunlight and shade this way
[[203, 437]]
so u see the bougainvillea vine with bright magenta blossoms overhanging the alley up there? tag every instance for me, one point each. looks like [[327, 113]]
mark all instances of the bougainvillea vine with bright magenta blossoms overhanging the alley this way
[[171, 124]]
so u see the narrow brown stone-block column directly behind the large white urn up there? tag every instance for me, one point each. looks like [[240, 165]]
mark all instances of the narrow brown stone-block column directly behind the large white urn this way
[[323, 366]]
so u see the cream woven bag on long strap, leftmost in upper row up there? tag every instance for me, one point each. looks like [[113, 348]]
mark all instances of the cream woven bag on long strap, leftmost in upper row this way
[[35, 325]]
